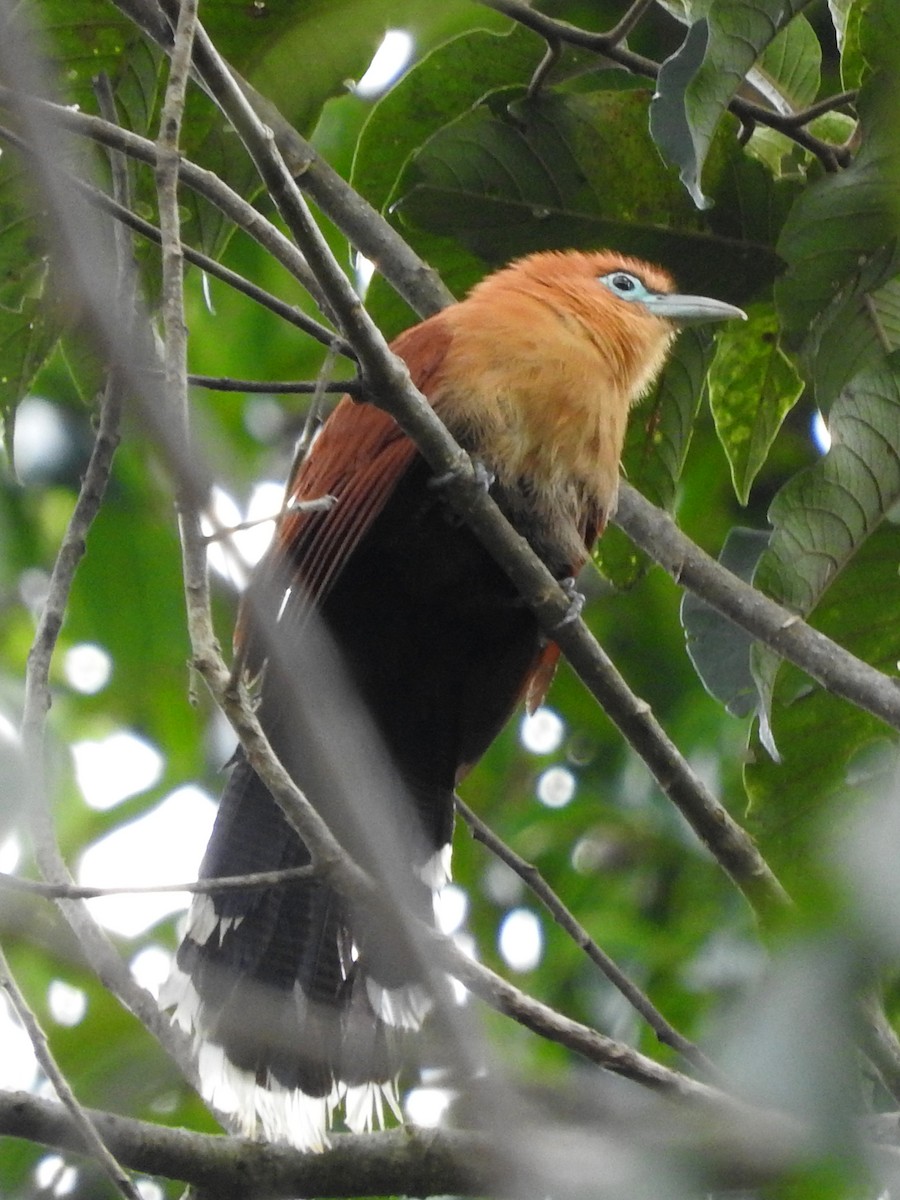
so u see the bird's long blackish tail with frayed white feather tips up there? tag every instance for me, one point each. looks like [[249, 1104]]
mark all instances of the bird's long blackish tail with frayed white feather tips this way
[[297, 1005]]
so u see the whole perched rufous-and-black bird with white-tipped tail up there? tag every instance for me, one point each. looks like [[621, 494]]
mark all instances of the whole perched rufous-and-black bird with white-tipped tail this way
[[298, 1001]]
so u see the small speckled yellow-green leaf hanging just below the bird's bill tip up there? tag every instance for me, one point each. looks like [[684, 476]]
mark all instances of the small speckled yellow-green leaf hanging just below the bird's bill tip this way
[[753, 387]]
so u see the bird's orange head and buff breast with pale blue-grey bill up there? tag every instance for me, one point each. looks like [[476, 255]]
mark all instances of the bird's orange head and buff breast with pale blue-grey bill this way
[[545, 357]]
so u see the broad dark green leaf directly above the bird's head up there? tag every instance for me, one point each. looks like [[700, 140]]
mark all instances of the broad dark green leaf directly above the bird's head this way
[[580, 171]]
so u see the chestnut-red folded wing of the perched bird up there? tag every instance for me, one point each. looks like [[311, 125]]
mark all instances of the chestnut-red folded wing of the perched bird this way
[[358, 459]]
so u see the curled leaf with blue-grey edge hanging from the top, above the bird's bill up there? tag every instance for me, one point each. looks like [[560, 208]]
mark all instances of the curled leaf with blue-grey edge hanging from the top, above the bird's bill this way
[[697, 85]]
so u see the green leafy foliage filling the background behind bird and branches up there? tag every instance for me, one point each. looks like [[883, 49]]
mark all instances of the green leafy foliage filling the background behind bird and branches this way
[[472, 170]]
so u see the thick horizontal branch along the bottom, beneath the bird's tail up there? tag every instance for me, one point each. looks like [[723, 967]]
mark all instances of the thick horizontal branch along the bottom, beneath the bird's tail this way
[[549, 1154]]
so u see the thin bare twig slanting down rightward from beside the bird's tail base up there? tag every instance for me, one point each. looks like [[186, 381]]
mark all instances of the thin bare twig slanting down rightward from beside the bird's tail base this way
[[536, 883]]
